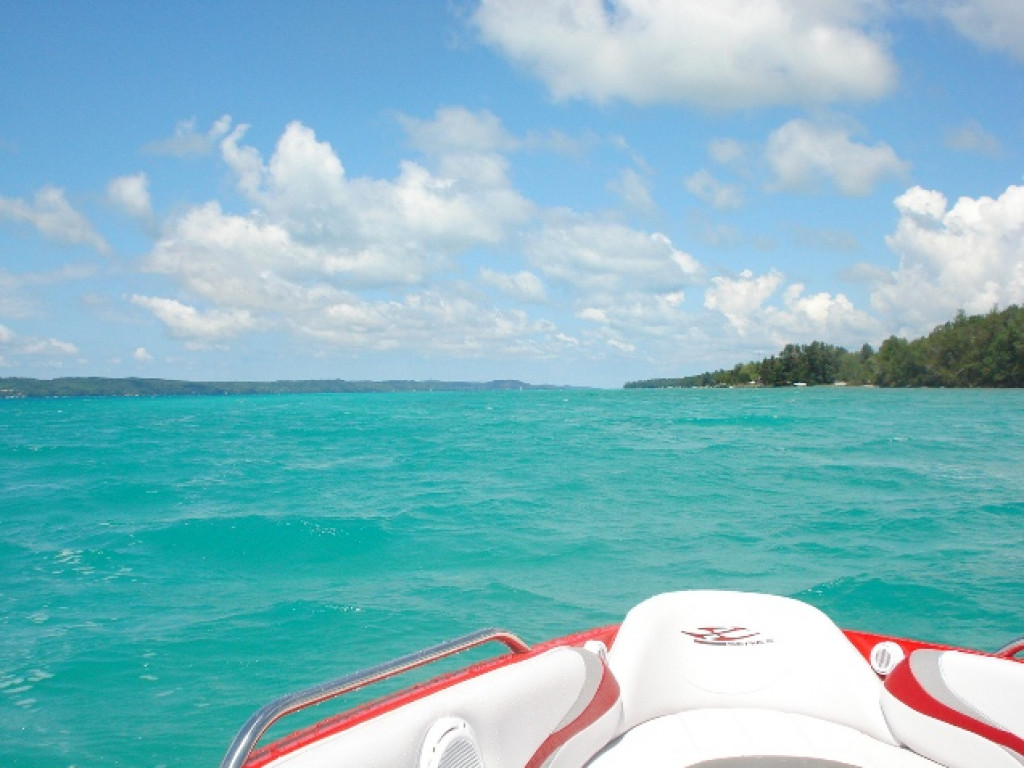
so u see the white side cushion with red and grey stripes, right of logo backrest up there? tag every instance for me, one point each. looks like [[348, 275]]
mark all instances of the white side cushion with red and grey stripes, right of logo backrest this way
[[963, 710]]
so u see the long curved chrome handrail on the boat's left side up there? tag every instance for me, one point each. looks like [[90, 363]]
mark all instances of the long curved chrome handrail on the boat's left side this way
[[257, 727]]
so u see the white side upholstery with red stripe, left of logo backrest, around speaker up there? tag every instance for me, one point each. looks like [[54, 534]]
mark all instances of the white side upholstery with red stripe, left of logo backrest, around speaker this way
[[554, 710]]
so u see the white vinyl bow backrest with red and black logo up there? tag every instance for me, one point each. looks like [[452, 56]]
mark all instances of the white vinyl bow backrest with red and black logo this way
[[710, 650]]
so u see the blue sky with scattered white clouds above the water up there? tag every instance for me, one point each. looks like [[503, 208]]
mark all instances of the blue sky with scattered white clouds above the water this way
[[562, 192]]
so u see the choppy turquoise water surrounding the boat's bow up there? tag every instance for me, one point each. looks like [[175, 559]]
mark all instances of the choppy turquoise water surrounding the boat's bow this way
[[167, 566]]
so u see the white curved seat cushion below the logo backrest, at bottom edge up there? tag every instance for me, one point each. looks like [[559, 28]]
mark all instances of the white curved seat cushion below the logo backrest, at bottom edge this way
[[751, 739]]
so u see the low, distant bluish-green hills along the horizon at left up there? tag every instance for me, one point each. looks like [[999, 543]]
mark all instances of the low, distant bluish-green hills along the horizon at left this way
[[133, 388]]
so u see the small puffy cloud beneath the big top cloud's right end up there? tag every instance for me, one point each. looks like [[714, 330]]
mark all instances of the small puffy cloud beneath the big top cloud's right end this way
[[803, 156]]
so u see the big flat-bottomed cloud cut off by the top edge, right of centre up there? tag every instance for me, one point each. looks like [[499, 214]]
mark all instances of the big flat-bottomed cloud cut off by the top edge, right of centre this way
[[728, 55]]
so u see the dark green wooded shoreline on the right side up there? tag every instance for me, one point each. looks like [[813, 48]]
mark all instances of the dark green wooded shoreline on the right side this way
[[982, 351]]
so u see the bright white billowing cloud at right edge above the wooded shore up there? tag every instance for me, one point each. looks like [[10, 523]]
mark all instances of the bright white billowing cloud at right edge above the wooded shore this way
[[967, 258]]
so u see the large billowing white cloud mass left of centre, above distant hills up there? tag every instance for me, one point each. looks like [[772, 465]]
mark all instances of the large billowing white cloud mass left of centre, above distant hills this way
[[316, 238]]
